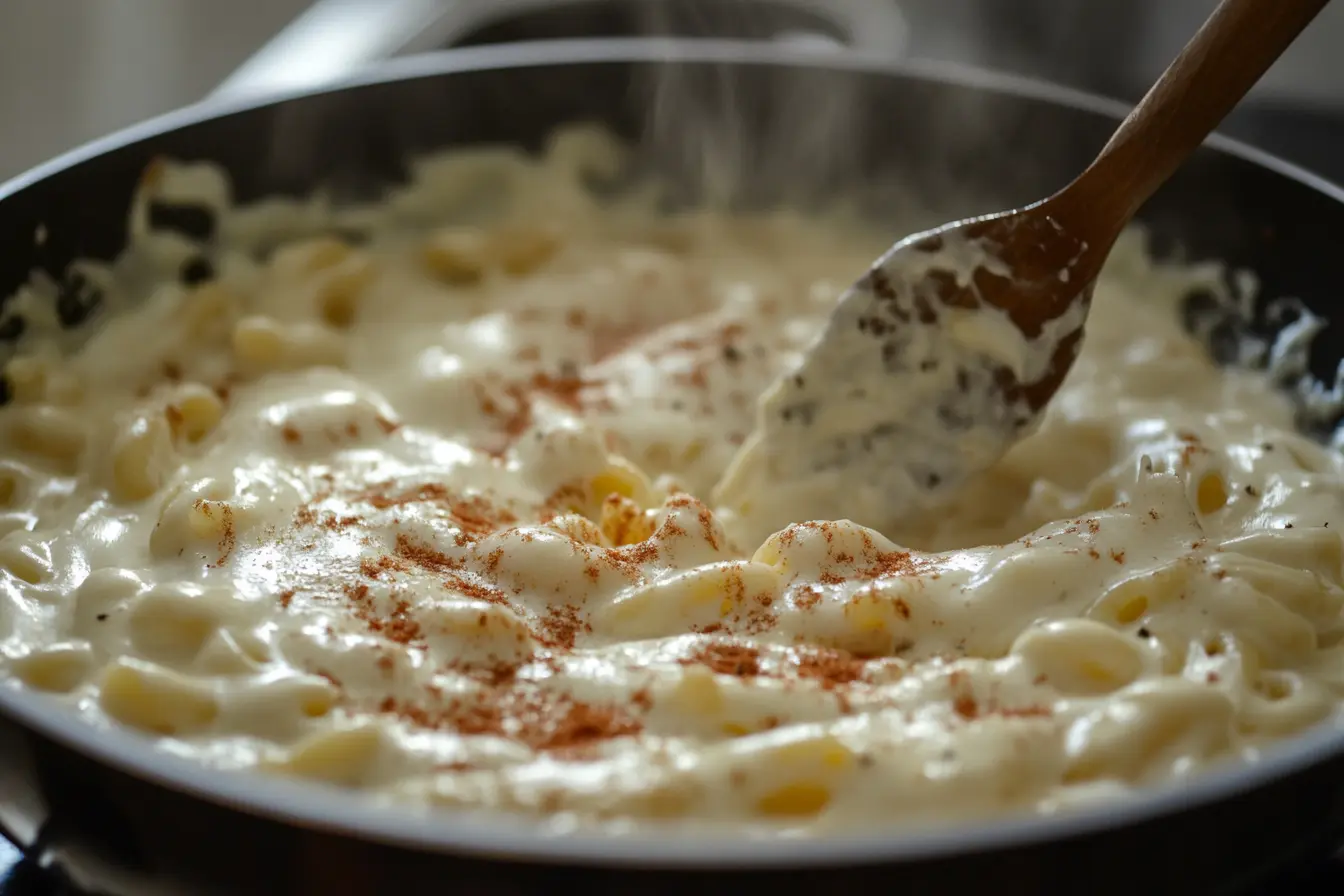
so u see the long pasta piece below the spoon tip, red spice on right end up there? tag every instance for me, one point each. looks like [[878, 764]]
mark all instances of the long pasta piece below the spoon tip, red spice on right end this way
[[702, 596]]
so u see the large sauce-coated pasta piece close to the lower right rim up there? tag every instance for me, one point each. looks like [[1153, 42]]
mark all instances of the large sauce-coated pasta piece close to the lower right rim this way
[[1148, 729]]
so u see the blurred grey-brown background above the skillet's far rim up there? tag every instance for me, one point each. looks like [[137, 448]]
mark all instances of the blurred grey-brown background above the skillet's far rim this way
[[75, 69]]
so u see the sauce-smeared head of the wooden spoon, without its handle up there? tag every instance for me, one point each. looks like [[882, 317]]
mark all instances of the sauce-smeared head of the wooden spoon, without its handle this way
[[931, 367]]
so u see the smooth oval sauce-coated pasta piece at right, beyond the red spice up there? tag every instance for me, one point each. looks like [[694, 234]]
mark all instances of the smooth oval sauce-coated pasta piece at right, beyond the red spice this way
[[1081, 658]]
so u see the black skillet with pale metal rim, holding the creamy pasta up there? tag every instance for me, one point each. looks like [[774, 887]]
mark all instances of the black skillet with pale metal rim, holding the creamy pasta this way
[[971, 140]]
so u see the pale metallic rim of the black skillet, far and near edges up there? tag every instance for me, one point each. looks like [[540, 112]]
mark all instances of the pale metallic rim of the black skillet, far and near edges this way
[[491, 835]]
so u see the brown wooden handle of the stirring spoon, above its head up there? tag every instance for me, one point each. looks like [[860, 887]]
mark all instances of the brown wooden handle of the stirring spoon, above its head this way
[[1221, 64]]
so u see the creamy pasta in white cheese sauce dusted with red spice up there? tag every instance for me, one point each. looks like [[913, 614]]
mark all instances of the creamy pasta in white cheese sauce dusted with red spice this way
[[423, 514]]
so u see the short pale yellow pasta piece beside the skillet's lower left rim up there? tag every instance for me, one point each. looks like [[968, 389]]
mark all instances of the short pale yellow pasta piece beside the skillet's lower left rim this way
[[155, 699]]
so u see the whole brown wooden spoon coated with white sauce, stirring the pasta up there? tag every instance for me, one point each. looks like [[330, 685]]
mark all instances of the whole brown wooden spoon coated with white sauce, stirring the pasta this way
[[947, 353]]
